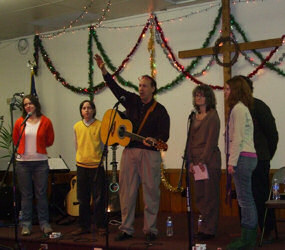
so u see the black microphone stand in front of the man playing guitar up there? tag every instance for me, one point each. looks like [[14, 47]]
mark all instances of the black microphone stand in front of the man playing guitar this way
[[105, 154]]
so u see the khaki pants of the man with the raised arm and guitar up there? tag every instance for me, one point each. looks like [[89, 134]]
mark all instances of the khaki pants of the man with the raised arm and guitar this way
[[139, 166]]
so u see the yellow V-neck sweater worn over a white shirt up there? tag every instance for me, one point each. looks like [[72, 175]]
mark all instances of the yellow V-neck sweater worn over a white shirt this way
[[89, 151]]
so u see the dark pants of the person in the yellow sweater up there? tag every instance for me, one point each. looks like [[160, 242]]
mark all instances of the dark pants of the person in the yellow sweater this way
[[87, 186]]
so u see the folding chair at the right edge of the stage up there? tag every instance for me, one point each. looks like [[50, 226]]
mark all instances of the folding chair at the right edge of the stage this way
[[278, 204]]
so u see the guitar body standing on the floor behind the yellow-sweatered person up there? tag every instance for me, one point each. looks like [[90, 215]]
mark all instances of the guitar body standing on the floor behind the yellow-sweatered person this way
[[72, 205]]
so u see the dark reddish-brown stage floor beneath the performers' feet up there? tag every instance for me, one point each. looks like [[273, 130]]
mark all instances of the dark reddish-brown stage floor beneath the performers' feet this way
[[227, 231]]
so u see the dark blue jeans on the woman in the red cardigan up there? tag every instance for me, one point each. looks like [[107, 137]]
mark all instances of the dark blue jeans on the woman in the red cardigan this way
[[33, 176]]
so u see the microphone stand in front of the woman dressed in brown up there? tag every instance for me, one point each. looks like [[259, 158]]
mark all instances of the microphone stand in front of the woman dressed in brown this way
[[188, 188]]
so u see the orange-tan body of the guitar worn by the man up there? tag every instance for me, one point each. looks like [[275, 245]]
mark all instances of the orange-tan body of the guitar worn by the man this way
[[120, 126]]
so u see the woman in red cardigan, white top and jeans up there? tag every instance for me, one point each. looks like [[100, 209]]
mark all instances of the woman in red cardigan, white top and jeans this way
[[32, 162]]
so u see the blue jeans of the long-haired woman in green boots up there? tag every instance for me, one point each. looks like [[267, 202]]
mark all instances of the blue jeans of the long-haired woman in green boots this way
[[242, 180]]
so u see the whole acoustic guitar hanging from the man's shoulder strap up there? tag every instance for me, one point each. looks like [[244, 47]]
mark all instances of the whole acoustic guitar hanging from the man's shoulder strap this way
[[121, 131]]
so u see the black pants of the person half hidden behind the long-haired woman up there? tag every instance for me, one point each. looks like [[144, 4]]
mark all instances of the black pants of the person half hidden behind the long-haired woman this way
[[260, 189]]
